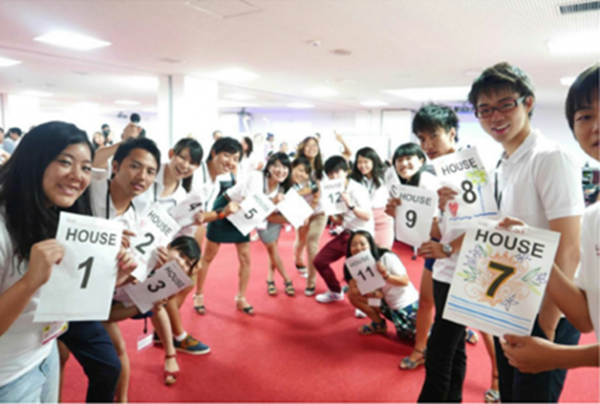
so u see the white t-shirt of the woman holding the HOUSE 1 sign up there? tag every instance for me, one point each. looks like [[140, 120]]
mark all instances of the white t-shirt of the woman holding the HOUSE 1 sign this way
[[21, 346]]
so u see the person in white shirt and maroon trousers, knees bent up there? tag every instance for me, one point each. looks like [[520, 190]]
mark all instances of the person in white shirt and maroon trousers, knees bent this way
[[358, 216]]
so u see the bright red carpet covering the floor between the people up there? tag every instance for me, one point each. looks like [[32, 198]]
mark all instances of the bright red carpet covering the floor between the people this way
[[292, 350]]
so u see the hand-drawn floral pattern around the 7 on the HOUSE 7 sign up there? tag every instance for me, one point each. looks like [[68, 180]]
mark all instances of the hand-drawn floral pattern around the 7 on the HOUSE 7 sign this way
[[500, 279]]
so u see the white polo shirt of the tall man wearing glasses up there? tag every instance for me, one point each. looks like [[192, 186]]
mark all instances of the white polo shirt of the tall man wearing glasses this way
[[539, 182]]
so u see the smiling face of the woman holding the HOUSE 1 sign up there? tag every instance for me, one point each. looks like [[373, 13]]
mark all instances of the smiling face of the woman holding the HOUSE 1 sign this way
[[68, 176]]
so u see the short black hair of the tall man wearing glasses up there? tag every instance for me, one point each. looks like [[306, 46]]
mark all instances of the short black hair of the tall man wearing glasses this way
[[501, 77]]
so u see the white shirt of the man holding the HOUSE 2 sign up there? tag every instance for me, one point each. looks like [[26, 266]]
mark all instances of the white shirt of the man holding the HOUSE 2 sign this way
[[100, 196]]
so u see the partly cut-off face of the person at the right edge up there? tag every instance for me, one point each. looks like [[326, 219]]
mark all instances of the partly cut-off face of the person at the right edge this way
[[585, 127]]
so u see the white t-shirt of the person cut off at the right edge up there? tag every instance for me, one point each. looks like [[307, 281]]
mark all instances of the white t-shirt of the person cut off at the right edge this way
[[588, 278]]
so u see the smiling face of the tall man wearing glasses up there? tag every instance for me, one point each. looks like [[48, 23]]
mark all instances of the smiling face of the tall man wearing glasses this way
[[511, 126]]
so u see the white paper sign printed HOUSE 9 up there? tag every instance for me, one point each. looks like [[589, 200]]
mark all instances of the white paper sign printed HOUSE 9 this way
[[415, 215]]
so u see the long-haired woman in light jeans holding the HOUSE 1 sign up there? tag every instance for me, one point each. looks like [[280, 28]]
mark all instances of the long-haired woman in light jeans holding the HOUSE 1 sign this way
[[54, 161]]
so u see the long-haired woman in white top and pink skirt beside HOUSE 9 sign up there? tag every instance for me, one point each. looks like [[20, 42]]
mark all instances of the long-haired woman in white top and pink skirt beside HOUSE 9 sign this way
[[368, 170]]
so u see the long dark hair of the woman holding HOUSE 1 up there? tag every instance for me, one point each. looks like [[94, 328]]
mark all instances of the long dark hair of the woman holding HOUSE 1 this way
[[28, 218]]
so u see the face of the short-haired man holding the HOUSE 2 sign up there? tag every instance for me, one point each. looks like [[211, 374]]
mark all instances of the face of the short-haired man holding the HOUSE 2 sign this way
[[136, 172]]
